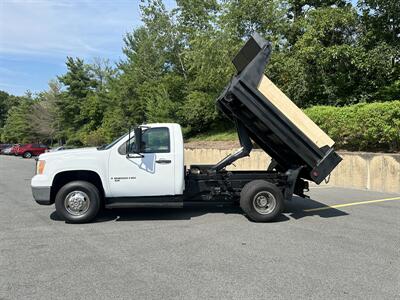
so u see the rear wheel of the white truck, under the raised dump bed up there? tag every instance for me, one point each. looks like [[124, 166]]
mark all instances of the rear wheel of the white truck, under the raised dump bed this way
[[262, 201]]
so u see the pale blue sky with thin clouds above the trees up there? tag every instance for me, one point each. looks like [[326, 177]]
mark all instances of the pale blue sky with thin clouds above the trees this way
[[36, 36]]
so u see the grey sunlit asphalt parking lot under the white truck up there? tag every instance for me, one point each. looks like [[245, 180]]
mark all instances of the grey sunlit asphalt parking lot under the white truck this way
[[352, 251]]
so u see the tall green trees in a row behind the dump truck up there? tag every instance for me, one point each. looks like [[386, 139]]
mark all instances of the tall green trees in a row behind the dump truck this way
[[174, 66]]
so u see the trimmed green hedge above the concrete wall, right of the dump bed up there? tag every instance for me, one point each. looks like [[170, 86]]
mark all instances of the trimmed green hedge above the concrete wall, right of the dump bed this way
[[361, 127]]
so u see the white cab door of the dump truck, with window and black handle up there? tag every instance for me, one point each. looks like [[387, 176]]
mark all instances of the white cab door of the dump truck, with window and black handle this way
[[150, 175]]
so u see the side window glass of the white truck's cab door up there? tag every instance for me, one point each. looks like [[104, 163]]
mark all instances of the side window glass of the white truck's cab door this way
[[154, 140]]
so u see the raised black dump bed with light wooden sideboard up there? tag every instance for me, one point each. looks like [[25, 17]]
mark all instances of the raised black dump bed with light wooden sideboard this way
[[272, 120]]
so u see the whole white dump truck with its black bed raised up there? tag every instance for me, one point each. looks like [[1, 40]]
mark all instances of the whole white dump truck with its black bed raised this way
[[146, 168]]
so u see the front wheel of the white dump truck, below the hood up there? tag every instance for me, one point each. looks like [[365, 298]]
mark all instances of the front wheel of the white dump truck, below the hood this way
[[78, 202]]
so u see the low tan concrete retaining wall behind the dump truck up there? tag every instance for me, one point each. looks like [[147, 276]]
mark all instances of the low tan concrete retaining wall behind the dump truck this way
[[373, 171]]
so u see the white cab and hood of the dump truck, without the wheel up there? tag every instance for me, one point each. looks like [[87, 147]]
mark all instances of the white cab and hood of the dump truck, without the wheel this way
[[117, 172]]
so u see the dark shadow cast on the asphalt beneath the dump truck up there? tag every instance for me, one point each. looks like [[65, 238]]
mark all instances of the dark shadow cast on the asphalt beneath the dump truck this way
[[293, 209]]
